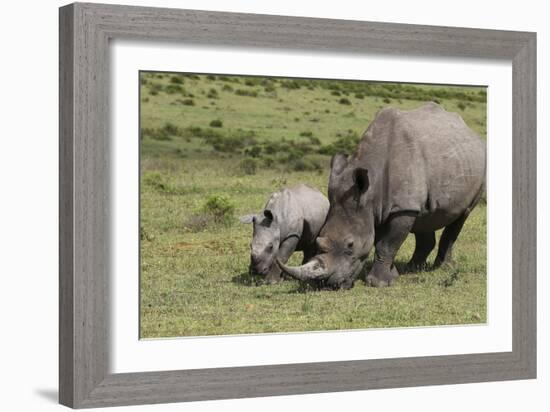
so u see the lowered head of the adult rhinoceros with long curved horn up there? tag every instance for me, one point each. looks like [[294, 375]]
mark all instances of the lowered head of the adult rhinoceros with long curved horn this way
[[348, 234]]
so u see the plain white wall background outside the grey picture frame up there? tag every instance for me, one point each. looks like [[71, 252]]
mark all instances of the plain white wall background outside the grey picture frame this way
[[28, 206]]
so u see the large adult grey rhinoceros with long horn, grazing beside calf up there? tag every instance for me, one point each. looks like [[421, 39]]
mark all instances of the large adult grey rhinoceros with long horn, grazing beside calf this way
[[413, 171]]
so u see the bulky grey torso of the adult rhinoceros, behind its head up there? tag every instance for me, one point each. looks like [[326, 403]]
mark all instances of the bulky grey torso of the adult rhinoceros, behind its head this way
[[426, 161]]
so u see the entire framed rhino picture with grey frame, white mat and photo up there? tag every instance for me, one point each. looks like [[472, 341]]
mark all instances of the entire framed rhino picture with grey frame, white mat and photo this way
[[257, 205]]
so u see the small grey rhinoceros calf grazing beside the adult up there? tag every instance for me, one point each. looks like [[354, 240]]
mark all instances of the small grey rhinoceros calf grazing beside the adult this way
[[290, 221]]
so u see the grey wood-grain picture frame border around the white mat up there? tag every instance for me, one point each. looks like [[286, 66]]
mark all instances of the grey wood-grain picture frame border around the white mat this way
[[85, 31]]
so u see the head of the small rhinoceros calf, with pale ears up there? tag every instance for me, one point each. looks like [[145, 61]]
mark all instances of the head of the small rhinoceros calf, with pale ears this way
[[265, 241]]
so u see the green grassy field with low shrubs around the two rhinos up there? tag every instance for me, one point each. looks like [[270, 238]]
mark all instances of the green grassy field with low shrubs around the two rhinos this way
[[214, 148]]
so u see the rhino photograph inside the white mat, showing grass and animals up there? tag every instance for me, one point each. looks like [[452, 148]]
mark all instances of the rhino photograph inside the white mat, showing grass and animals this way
[[272, 205]]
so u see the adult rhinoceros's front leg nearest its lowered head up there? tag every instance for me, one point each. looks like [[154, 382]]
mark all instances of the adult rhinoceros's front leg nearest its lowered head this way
[[388, 241]]
